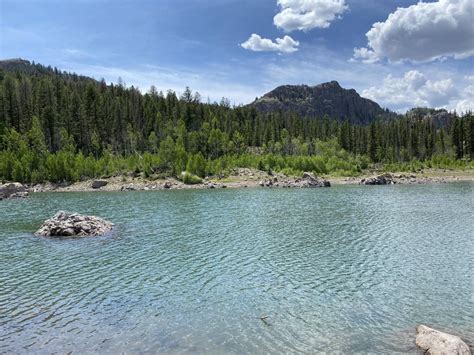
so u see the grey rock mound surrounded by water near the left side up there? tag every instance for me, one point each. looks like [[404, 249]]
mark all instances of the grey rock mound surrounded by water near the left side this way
[[65, 224]]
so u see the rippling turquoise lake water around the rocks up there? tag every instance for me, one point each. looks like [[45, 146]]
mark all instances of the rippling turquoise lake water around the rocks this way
[[350, 268]]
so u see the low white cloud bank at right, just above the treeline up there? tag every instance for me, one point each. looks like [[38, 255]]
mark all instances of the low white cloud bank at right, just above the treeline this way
[[413, 89]]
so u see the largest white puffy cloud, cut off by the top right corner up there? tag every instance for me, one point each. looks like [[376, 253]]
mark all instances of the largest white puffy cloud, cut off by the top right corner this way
[[421, 33]]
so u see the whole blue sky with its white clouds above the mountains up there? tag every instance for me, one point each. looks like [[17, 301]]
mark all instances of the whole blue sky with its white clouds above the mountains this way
[[201, 43]]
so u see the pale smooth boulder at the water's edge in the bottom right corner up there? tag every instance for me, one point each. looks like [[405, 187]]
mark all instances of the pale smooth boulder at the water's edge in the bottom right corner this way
[[435, 342]]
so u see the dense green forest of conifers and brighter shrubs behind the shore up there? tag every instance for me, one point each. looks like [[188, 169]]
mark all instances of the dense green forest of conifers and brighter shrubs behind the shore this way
[[60, 126]]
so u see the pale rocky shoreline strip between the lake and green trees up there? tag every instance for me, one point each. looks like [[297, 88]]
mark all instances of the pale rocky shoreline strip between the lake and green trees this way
[[243, 178]]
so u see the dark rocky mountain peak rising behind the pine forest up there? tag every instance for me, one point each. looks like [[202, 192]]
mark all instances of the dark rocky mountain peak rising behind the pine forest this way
[[324, 99]]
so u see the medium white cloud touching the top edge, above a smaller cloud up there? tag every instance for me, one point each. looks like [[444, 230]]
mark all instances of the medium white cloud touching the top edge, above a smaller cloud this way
[[304, 15]]
